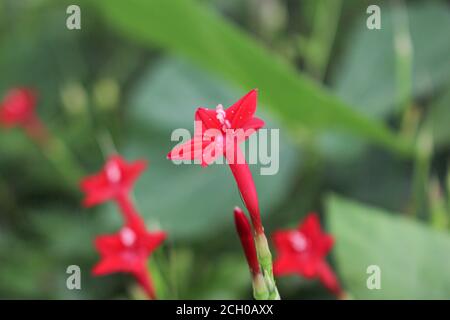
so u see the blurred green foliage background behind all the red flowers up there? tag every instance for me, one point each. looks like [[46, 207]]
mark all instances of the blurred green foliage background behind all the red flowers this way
[[364, 118]]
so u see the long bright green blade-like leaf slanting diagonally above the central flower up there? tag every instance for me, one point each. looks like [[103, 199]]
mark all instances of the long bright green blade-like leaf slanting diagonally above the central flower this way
[[191, 29]]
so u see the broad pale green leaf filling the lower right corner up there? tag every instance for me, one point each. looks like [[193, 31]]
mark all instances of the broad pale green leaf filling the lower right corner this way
[[414, 259]]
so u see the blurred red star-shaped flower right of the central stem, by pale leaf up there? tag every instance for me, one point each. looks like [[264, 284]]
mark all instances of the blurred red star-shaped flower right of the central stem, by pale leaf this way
[[303, 250]]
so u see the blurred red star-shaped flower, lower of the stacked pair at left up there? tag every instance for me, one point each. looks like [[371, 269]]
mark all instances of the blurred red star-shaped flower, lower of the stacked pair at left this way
[[127, 251]]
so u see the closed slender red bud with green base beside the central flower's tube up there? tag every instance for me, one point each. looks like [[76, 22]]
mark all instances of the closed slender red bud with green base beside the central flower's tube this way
[[244, 231]]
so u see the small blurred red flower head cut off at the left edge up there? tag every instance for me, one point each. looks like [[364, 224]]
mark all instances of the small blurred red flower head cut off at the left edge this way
[[17, 108]]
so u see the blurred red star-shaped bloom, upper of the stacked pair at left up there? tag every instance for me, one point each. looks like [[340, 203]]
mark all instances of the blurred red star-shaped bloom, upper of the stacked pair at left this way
[[113, 182]]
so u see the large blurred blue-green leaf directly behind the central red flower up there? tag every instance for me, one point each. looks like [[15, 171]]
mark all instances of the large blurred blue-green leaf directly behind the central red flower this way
[[188, 200]]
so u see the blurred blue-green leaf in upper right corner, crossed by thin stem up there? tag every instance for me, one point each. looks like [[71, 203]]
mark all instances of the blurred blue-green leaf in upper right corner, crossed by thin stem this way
[[365, 76]]
